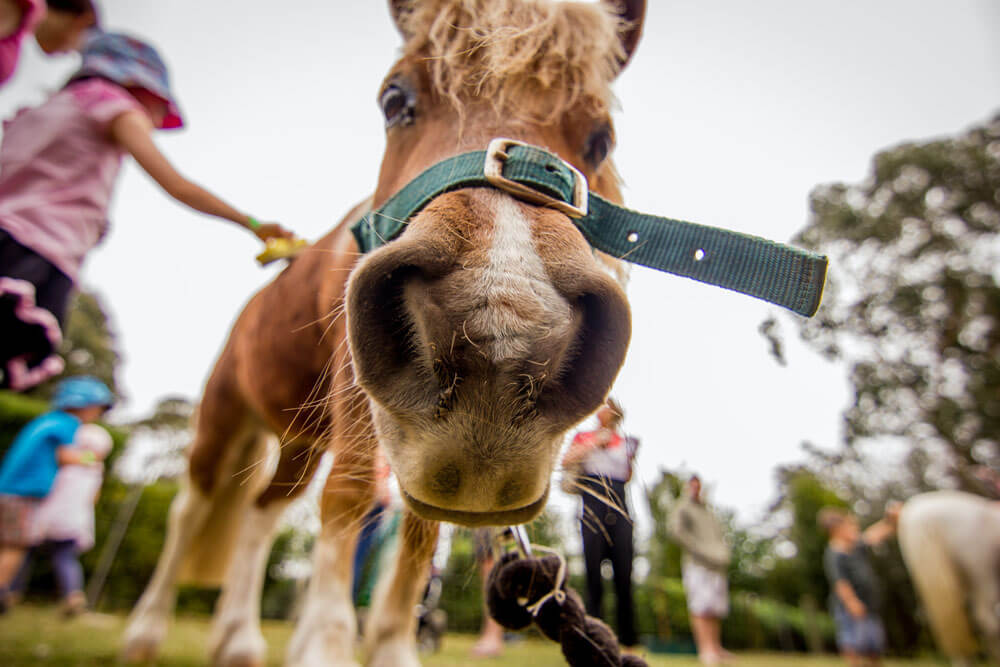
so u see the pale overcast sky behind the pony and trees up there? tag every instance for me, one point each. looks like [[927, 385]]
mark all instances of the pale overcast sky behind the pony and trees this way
[[731, 112]]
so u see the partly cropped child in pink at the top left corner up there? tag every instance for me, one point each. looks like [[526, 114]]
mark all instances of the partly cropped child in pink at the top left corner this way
[[58, 26]]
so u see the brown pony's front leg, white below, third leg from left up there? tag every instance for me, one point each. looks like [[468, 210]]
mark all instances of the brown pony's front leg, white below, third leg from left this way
[[327, 628]]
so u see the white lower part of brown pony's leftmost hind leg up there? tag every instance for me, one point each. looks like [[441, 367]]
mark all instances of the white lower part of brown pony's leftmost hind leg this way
[[148, 622]]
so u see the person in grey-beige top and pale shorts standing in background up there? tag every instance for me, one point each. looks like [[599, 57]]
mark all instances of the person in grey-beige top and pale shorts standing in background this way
[[706, 560]]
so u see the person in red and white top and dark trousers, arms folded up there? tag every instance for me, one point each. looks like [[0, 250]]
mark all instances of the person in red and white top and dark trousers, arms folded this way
[[600, 462]]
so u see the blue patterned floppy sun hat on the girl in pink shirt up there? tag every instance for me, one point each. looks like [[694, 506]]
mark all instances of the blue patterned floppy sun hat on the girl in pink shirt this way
[[130, 63]]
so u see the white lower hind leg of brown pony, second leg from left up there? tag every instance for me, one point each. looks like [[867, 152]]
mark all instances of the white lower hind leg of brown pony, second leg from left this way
[[236, 636]]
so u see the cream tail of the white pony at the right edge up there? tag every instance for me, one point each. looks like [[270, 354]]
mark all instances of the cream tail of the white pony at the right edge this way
[[937, 579]]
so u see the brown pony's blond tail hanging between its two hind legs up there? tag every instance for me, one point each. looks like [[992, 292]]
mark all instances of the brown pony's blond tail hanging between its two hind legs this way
[[242, 476]]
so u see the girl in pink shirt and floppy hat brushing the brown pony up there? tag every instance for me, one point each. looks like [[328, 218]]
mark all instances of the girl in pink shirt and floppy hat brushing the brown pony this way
[[58, 166]]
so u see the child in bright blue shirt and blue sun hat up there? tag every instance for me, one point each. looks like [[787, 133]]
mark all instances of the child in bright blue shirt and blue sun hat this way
[[29, 468]]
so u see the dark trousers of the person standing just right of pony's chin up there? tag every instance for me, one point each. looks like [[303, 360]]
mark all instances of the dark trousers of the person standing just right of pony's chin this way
[[607, 535]]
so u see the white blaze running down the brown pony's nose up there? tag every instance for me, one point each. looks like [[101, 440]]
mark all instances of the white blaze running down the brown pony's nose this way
[[519, 305]]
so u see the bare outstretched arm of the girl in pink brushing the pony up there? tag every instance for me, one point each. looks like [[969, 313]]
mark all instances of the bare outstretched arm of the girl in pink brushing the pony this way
[[133, 131]]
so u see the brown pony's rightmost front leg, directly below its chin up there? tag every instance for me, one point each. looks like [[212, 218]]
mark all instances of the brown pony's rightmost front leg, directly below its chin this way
[[390, 635]]
